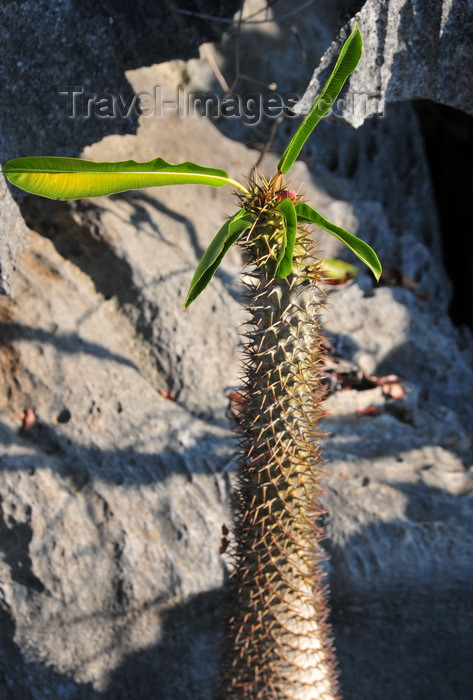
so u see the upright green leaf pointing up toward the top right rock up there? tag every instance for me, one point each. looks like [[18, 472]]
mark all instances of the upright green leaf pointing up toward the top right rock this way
[[346, 63]]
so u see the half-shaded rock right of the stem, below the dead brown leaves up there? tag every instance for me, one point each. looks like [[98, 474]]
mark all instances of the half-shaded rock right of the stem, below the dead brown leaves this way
[[400, 575]]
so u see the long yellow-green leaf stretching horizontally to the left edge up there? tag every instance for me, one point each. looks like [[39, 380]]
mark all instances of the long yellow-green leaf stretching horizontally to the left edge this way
[[73, 178]]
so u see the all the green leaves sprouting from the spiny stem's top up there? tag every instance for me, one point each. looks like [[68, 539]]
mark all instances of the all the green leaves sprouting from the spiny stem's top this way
[[72, 178]]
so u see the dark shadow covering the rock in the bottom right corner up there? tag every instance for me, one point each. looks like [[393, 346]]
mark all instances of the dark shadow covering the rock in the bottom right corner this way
[[402, 600]]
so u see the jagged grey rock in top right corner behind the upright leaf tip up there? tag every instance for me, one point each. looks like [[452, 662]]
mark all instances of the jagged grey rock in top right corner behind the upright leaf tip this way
[[411, 51]]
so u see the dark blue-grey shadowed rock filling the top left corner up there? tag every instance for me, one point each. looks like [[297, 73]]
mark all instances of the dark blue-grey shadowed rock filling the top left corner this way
[[48, 46]]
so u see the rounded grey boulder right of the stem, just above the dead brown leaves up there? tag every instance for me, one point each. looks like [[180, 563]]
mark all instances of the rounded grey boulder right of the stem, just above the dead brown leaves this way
[[392, 331]]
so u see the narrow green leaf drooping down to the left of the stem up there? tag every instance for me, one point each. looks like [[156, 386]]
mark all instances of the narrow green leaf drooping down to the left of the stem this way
[[230, 232]]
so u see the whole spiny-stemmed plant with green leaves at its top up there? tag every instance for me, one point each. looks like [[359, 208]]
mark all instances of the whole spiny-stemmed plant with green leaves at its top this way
[[277, 641]]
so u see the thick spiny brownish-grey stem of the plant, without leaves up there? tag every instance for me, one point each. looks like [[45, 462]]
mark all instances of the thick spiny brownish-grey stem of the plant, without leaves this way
[[278, 644]]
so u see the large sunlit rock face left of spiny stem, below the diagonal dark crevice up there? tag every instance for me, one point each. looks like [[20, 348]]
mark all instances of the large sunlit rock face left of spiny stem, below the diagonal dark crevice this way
[[111, 503]]
